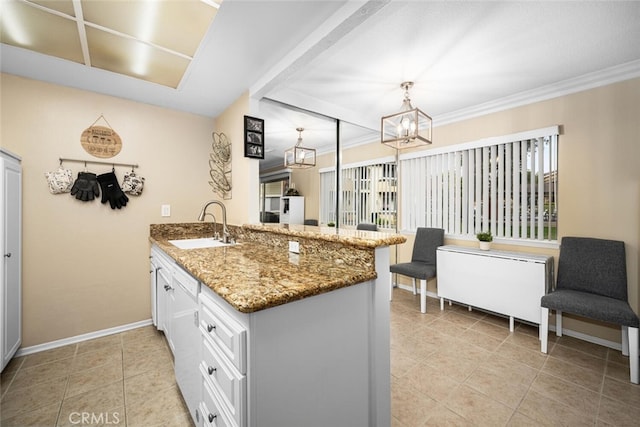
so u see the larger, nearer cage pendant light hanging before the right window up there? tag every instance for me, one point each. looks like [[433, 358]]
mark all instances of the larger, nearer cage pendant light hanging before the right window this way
[[408, 128]]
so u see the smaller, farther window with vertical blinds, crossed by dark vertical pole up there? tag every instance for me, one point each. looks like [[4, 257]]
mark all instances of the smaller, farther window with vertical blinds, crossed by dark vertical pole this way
[[368, 194]]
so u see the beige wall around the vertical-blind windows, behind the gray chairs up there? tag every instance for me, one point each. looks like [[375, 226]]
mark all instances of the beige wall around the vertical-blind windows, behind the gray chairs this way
[[599, 170]]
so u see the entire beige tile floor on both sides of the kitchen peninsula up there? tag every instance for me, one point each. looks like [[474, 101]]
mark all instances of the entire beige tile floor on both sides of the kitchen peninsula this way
[[453, 367]]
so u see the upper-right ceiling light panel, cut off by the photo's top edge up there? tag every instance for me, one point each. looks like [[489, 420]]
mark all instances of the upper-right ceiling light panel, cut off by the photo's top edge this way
[[175, 25]]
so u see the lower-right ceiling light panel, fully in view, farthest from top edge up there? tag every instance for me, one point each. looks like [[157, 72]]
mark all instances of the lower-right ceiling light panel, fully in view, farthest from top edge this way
[[134, 58]]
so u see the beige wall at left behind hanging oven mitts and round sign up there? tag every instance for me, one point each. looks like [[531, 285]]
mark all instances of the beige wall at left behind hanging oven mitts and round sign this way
[[85, 266]]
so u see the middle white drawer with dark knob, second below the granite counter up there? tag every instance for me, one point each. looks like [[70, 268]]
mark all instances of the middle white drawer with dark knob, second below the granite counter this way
[[230, 384]]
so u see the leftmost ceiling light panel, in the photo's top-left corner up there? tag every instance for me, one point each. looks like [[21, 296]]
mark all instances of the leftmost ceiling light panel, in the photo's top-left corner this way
[[32, 28]]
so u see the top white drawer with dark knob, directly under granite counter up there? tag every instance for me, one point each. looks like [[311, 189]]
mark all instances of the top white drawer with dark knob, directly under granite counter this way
[[229, 335]]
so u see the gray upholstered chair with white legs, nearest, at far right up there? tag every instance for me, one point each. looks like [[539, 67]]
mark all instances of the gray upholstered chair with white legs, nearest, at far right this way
[[592, 282]]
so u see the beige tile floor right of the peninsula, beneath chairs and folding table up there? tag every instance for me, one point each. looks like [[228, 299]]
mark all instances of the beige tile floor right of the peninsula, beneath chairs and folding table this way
[[461, 368]]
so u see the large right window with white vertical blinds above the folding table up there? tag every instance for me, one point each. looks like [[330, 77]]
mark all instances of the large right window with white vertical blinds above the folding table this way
[[508, 185]]
